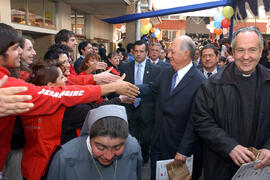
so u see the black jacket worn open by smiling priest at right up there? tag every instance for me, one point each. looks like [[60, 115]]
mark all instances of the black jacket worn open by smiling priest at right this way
[[216, 120]]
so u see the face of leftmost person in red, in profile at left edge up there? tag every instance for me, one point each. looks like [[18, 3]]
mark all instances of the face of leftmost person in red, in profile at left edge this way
[[13, 57]]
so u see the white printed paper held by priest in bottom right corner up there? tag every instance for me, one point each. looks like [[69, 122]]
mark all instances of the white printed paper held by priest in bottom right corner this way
[[247, 172]]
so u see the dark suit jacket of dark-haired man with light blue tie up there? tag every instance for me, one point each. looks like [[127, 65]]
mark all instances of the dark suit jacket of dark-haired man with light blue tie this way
[[151, 73]]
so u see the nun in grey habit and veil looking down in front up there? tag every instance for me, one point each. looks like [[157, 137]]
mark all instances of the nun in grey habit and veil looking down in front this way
[[103, 151]]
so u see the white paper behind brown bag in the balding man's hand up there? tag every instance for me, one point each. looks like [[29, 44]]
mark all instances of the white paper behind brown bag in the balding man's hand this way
[[161, 171]]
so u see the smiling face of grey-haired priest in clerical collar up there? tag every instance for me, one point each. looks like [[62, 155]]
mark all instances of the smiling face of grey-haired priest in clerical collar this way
[[246, 52]]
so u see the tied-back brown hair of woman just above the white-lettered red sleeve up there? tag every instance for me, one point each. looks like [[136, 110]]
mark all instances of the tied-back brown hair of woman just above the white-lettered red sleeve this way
[[43, 73]]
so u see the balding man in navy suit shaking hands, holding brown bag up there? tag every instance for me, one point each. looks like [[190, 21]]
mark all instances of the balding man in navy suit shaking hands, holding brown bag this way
[[173, 136]]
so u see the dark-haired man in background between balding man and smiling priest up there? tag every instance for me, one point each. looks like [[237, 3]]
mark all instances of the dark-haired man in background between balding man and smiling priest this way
[[209, 59]]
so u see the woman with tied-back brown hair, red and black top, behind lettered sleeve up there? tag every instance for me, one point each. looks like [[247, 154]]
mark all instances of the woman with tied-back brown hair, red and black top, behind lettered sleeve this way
[[44, 134]]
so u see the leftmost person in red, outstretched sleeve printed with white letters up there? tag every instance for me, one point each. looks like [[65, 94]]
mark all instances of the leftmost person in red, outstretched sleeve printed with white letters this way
[[46, 100]]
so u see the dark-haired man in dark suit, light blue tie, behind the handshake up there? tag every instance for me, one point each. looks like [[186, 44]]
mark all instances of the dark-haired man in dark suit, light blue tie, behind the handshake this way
[[141, 114]]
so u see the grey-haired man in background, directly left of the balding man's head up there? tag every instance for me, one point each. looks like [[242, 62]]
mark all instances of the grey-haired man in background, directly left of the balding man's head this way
[[154, 54]]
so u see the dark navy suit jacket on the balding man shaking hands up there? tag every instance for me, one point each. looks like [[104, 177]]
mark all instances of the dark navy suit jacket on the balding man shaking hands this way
[[173, 112]]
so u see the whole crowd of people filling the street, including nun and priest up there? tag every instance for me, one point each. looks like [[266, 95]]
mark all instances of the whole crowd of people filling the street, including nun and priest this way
[[104, 115]]
